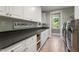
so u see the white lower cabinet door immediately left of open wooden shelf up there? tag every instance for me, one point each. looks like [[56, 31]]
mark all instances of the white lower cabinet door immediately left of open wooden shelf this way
[[31, 44]]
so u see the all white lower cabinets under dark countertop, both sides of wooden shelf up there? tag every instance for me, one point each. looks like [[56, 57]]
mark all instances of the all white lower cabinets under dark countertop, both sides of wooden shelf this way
[[27, 45]]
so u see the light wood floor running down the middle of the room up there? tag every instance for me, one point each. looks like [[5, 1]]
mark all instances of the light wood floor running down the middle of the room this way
[[53, 44]]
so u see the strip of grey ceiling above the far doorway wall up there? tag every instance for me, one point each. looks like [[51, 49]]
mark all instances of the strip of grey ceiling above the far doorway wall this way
[[51, 8]]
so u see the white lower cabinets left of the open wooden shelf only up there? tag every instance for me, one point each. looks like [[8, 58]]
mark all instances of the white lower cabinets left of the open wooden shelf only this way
[[27, 45]]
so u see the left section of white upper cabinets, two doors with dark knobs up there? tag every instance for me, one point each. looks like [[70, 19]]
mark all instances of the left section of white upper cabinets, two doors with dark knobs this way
[[12, 11]]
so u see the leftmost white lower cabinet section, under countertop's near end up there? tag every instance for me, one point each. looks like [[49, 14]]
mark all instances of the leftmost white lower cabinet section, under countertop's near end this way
[[19, 47]]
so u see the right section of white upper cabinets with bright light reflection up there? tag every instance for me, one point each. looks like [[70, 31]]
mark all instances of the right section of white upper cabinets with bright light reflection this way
[[32, 13]]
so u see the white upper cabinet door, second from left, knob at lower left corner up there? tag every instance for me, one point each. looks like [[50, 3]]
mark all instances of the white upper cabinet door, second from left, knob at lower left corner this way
[[16, 11]]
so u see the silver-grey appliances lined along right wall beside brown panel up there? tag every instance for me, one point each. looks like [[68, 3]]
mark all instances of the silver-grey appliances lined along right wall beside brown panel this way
[[68, 29]]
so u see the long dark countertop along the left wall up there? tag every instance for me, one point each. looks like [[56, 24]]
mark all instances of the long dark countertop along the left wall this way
[[11, 37]]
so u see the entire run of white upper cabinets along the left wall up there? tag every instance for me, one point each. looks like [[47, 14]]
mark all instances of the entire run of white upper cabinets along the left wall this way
[[32, 13]]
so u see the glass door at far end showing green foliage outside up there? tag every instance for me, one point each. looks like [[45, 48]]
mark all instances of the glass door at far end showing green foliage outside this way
[[55, 23]]
